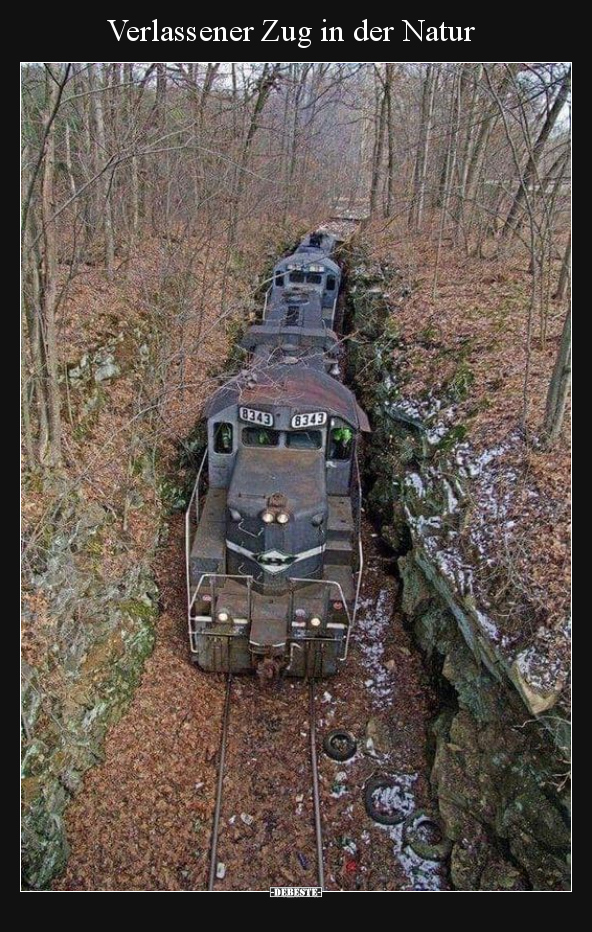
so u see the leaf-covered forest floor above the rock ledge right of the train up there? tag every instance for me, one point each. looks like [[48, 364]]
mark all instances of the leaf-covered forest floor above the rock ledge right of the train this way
[[460, 352]]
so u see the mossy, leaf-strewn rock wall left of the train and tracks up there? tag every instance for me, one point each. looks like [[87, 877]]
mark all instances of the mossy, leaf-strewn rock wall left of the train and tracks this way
[[90, 605]]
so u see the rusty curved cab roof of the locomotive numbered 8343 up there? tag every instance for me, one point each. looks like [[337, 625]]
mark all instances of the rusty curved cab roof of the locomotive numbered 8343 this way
[[303, 387]]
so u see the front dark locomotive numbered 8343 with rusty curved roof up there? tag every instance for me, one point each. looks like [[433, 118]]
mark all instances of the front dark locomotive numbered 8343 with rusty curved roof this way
[[278, 513]]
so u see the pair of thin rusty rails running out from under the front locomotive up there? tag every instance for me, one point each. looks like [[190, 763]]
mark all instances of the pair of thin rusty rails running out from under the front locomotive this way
[[221, 774]]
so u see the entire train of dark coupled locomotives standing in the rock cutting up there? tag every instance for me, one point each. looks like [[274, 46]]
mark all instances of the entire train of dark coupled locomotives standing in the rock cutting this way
[[273, 547]]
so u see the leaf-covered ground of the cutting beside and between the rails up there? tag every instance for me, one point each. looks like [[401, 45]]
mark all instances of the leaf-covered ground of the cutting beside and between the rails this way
[[142, 821]]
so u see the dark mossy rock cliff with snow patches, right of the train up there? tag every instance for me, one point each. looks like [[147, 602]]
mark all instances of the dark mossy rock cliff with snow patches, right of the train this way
[[501, 739]]
